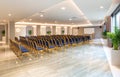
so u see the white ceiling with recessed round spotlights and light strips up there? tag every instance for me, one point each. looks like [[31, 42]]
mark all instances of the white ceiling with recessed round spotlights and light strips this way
[[80, 11]]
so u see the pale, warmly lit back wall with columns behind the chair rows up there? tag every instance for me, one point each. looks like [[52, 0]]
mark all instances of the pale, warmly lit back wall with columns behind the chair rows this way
[[56, 30]]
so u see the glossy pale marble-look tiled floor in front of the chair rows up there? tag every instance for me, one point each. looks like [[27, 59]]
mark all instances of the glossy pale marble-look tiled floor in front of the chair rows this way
[[88, 60]]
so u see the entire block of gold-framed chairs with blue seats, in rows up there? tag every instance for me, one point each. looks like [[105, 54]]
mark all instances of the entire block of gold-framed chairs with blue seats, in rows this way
[[38, 44]]
